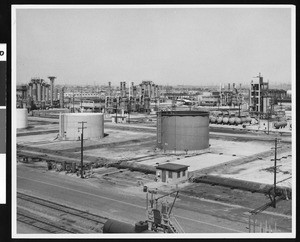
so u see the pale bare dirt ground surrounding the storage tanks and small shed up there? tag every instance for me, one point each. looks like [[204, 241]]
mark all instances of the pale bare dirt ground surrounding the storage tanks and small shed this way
[[140, 147]]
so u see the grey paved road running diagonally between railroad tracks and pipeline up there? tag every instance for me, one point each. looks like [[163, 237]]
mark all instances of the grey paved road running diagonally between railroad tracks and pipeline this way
[[195, 216]]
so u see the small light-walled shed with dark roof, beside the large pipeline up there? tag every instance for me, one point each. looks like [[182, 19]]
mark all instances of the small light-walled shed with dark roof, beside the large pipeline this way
[[171, 173]]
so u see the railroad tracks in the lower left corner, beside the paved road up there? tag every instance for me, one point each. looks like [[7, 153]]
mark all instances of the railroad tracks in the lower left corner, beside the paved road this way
[[70, 220]]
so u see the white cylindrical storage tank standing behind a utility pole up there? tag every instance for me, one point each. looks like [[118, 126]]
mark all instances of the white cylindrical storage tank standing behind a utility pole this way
[[70, 126]]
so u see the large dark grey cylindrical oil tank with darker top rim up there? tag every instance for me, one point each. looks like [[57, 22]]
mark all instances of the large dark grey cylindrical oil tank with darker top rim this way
[[183, 130]]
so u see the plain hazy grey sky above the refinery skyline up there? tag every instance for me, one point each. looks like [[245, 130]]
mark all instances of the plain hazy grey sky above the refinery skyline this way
[[168, 46]]
